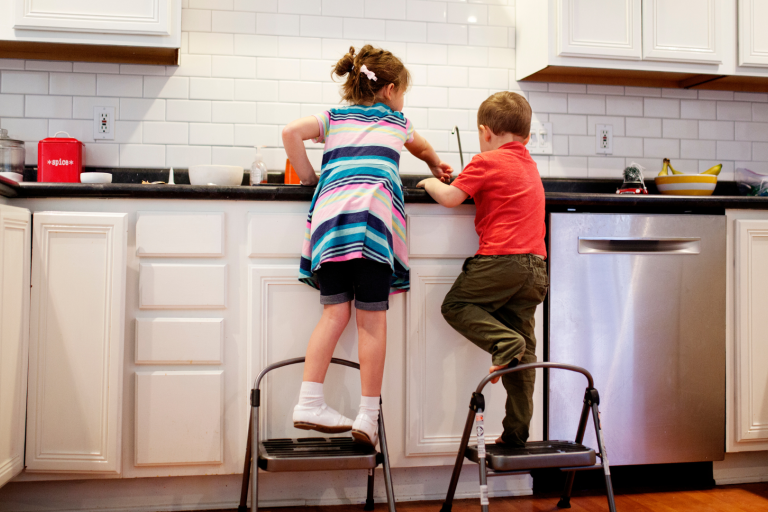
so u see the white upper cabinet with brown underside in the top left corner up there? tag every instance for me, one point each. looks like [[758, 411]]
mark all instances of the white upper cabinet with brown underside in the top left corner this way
[[139, 31]]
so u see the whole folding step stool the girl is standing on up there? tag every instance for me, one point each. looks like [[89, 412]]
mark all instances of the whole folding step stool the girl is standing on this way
[[309, 453]]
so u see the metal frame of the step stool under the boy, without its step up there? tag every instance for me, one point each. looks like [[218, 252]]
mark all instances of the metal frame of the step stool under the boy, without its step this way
[[476, 409]]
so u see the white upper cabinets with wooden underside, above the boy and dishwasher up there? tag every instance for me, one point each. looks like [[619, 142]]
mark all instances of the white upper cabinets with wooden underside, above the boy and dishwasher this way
[[692, 44]]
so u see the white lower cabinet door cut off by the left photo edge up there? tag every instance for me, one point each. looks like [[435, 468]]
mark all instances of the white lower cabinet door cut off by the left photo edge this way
[[15, 247]]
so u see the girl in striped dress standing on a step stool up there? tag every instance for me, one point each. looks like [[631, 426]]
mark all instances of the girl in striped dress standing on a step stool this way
[[354, 245]]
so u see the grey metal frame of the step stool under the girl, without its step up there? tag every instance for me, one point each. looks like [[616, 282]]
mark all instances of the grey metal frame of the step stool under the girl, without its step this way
[[251, 470]]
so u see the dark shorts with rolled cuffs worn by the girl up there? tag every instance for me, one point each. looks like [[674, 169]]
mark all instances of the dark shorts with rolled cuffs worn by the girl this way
[[365, 281]]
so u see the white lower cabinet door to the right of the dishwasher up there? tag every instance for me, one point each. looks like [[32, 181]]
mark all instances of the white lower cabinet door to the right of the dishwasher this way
[[747, 333]]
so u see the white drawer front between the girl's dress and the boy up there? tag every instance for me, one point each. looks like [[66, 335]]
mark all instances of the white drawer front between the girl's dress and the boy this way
[[442, 236]]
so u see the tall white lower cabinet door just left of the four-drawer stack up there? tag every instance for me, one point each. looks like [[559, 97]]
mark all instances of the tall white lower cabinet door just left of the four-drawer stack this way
[[76, 342]]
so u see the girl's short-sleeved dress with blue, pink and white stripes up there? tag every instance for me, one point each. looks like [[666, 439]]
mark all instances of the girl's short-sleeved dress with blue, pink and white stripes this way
[[357, 210]]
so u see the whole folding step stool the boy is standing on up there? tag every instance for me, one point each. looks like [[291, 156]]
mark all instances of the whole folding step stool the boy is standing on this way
[[502, 460]]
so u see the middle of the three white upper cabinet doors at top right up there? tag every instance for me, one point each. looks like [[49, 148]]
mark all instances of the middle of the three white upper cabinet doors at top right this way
[[683, 30]]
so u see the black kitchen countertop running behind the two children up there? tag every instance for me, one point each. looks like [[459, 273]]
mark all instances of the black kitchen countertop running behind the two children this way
[[561, 194]]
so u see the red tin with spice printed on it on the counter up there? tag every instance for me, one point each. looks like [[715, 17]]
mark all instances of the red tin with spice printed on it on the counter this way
[[60, 159]]
